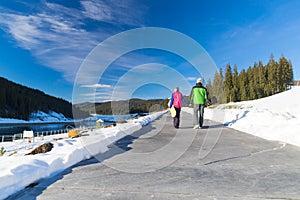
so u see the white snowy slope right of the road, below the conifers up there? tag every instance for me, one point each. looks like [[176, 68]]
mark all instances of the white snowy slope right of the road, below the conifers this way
[[273, 118]]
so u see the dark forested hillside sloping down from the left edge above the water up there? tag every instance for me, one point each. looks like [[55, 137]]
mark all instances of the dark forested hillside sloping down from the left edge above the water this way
[[18, 101]]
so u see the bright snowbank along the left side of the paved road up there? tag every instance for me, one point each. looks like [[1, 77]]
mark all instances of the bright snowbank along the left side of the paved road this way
[[18, 171]]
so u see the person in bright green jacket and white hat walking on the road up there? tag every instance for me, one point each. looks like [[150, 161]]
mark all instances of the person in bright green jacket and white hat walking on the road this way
[[198, 98]]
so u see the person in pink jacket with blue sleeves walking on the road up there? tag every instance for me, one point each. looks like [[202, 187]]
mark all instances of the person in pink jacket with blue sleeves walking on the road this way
[[176, 101]]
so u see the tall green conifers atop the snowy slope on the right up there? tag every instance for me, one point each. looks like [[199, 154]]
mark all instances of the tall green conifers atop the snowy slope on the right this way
[[256, 82]]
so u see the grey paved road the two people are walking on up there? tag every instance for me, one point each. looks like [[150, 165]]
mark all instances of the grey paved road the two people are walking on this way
[[160, 162]]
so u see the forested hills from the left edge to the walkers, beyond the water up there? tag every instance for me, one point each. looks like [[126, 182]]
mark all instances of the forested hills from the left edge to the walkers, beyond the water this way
[[19, 102]]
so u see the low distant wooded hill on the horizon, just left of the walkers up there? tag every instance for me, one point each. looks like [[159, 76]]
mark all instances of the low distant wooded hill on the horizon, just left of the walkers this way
[[124, 107]]
